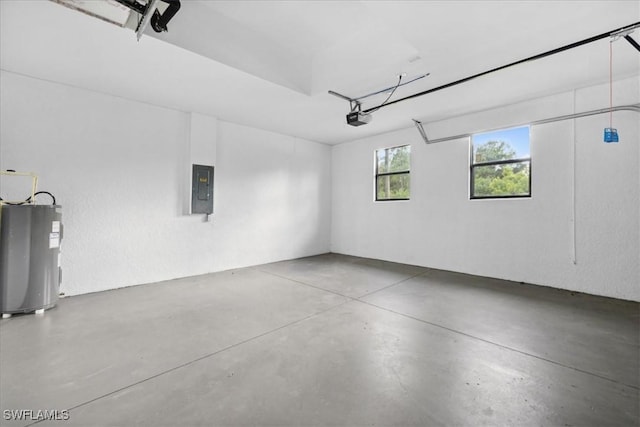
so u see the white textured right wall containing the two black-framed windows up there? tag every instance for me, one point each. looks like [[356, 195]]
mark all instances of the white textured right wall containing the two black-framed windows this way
[[592, 245]]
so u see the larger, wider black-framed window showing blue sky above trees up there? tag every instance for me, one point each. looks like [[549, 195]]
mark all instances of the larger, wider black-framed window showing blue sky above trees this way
[[501, 164]]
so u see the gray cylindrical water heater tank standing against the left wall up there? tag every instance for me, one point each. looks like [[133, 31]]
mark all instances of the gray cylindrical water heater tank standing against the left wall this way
[[30, 237]]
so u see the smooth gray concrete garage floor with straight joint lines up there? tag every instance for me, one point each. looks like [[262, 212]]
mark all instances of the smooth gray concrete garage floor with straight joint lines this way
[[326, 340]]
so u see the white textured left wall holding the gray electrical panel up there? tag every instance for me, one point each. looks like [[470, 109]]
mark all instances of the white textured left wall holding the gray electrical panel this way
[[118, 169]]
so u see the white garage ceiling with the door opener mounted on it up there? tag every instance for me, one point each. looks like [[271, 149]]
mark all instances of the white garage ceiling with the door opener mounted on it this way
[[270, 64]]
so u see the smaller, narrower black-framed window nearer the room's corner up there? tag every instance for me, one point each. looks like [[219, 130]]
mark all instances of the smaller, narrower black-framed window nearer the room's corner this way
[[392, 173]]
